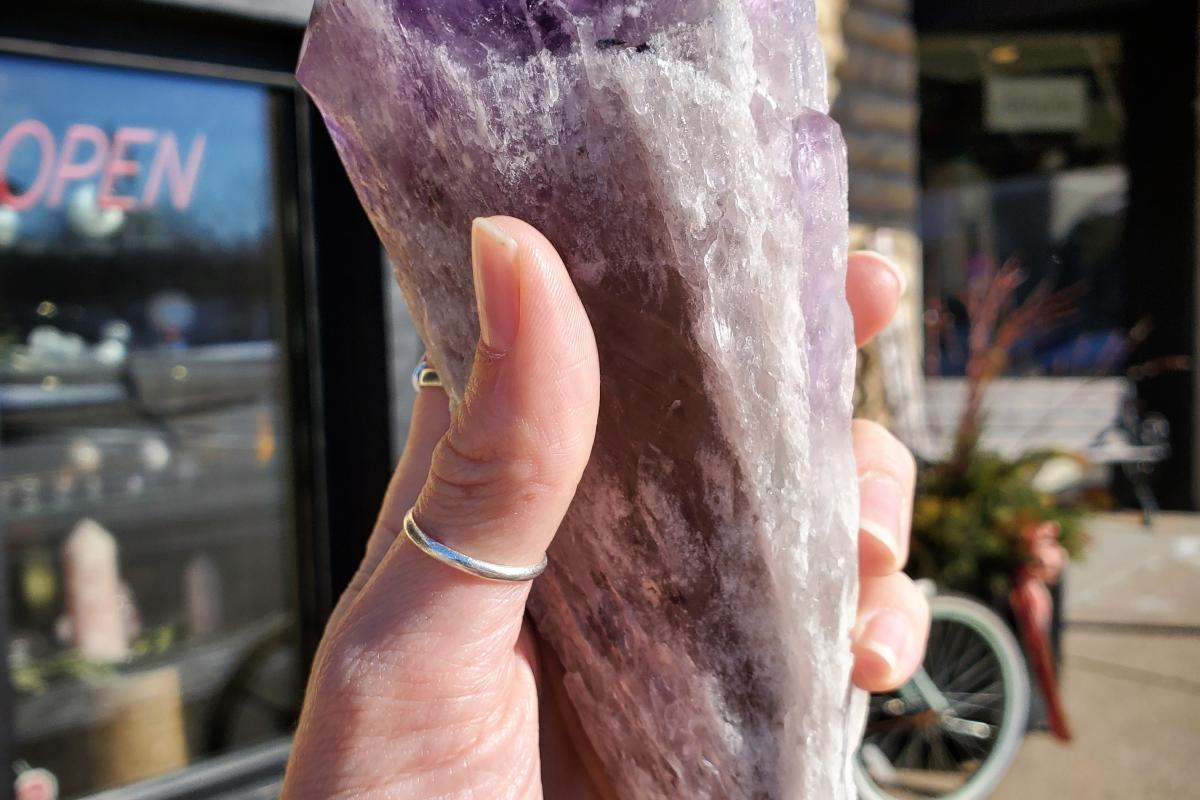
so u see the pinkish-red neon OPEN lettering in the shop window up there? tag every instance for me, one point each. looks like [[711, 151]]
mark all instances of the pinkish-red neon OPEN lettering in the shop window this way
[[151, 160]]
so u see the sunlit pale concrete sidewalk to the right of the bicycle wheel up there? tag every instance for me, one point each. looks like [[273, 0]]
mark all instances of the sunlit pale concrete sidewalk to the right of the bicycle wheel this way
[[1131, 671]]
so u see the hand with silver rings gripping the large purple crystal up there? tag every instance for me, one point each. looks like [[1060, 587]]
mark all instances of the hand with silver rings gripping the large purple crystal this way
[[427, 683]]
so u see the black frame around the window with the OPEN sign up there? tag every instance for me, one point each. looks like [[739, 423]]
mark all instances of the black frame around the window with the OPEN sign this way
[[334, 306]]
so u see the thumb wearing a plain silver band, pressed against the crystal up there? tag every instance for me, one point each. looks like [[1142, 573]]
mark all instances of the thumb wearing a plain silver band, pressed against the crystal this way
[[503, 476]]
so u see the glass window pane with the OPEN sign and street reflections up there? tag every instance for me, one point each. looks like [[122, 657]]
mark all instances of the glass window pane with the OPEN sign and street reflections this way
[[143, 449]]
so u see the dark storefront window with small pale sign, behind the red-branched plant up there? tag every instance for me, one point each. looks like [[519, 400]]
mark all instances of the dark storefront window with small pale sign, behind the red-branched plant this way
[[1022, 141]]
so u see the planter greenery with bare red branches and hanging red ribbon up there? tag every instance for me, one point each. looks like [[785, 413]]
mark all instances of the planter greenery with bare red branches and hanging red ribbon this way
[[992, 526]]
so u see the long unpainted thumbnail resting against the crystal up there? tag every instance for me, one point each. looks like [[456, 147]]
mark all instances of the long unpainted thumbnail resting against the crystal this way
[[494, 256]]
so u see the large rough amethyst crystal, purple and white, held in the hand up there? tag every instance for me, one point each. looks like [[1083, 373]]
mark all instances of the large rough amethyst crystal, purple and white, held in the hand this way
[[679, 155]]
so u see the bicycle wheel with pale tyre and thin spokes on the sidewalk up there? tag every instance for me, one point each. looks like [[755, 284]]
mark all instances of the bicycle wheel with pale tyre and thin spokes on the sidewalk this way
[[955, 730]]
